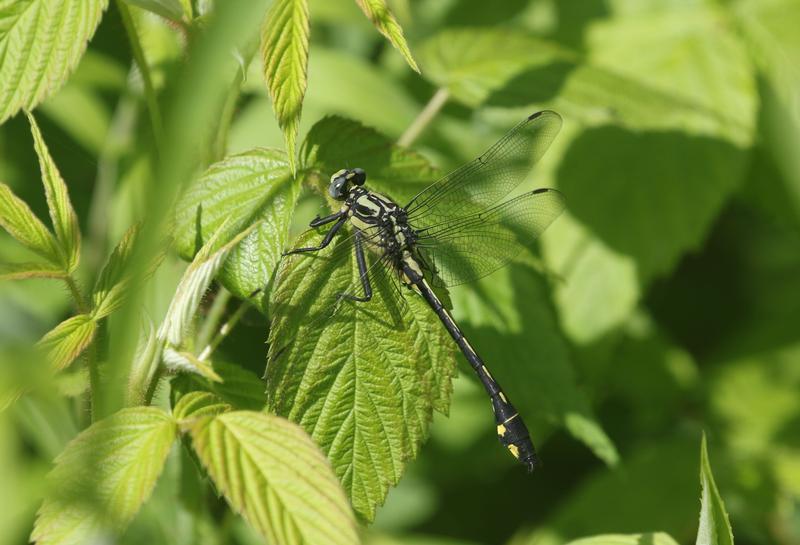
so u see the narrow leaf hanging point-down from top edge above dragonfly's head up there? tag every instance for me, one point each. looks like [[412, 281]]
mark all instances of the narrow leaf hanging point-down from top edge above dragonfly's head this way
[[284, 52]]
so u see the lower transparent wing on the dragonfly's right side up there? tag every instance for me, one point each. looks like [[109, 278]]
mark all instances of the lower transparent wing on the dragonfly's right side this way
[[467, 248]]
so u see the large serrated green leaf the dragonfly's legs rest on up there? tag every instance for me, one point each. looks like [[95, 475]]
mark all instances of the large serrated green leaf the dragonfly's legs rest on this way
[[365, 382]]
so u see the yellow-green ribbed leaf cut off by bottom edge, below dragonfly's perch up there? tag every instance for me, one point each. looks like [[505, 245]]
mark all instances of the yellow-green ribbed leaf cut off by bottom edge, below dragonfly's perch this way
[[272, 472]]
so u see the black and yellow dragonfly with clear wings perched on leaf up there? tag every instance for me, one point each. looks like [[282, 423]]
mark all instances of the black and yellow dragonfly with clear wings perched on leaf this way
[[454, 231]]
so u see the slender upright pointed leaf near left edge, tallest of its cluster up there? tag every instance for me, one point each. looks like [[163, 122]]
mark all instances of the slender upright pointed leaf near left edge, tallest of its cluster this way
[[65, 221]]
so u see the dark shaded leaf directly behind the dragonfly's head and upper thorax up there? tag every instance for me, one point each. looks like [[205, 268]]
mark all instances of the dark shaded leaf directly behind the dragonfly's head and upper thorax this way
[[335, 142]]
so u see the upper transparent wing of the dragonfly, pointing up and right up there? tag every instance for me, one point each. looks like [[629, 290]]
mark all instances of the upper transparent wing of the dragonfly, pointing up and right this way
[[482, 183]]
